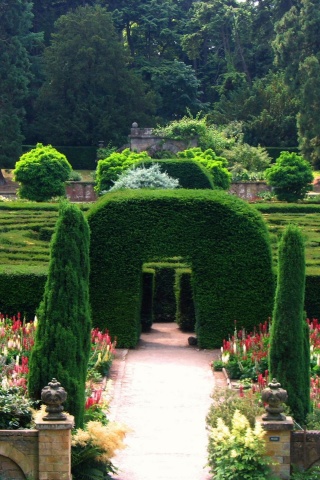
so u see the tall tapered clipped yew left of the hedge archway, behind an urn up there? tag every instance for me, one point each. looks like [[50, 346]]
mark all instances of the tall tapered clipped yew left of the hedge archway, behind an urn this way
[[63, 339]]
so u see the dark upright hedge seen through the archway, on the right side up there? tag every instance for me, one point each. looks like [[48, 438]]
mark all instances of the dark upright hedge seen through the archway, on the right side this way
[[185, 313]]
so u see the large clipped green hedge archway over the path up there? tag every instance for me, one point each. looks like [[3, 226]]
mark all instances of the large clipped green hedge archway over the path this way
[[223, 239]]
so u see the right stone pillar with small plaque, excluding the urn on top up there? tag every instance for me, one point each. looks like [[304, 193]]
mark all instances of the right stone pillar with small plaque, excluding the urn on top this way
[[278, 436]]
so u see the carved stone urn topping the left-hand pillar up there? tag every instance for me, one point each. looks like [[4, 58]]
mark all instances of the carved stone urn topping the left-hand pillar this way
[[53, 395]]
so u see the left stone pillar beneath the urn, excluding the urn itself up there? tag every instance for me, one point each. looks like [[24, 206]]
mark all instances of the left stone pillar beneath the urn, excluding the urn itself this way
[[55, 449]]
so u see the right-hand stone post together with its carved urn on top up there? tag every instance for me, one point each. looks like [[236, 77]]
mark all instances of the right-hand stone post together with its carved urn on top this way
[[278, 429]]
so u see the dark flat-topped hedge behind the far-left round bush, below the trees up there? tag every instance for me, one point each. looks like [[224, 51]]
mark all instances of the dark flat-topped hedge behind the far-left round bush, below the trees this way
[[81, 158]]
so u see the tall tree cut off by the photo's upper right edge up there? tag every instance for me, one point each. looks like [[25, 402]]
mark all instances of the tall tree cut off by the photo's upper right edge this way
[[297, 48]]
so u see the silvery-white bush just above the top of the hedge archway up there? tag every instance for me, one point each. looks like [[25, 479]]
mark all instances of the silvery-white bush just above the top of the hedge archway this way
[[142, 177]]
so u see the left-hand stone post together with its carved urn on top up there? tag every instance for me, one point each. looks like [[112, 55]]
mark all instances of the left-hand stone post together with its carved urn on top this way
[[54, 435]]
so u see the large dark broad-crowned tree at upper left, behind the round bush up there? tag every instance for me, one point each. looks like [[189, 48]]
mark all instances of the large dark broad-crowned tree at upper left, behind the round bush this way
[[89, 93]]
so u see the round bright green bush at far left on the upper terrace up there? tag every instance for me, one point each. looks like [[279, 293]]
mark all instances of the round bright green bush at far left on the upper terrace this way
[[42, 173]]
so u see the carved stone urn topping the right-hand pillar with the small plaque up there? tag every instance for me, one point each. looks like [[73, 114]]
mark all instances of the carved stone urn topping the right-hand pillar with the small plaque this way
[[274, 396]]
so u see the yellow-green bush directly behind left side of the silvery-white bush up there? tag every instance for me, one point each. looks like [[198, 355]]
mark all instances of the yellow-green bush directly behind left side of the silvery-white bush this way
[[111, 167]]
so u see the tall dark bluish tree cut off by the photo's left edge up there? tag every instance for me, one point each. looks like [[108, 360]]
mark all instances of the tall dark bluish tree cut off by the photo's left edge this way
[[15, 25]]
